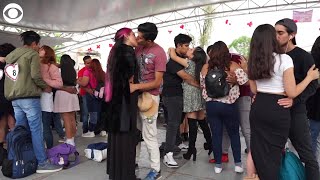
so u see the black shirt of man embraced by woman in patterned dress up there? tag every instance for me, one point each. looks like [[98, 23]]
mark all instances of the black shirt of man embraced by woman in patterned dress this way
[[172, 83]]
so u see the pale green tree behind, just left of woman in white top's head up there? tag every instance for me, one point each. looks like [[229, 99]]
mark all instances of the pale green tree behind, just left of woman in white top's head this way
[[241, 45]]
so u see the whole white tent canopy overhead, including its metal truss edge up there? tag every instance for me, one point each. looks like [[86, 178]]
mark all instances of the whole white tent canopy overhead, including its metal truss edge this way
[[91, 21]]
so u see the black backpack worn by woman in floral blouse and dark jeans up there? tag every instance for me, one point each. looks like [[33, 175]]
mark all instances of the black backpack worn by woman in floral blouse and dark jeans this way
[[216, 83]]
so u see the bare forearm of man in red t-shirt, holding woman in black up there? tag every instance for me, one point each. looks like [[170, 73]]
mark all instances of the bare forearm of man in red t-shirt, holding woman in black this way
[[149, 85]]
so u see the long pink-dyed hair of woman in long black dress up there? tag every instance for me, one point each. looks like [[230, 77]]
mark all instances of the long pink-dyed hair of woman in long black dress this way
[[112, 59]]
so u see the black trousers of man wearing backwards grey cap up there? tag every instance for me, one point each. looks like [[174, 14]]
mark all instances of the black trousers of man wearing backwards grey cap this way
[[301, 140]]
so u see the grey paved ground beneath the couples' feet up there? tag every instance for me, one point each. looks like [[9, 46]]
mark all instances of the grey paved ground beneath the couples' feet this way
[[188, 170]]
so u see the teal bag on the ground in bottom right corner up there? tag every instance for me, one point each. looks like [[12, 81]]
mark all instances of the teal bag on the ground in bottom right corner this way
[[291, 167]]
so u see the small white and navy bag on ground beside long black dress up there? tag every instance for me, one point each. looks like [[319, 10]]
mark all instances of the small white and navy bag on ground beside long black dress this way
[[96, 151]]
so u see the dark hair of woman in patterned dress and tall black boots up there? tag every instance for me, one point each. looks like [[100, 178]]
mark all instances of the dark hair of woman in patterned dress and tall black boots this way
[[199, 57]]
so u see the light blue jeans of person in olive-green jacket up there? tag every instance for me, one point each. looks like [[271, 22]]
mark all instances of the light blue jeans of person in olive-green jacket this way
[[28, 113]]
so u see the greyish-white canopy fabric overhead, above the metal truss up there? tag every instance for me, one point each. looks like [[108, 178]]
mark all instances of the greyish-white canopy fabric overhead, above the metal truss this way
[[86, 15]]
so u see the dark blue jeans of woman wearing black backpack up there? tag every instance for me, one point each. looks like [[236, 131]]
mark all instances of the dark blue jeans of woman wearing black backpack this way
[[219, 114]]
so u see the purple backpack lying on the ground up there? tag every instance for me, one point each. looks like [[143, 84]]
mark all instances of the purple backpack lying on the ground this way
[[59, 155]]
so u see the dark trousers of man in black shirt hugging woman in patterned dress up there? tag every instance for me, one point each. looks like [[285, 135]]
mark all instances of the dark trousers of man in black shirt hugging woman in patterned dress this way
[[174, 106]]
